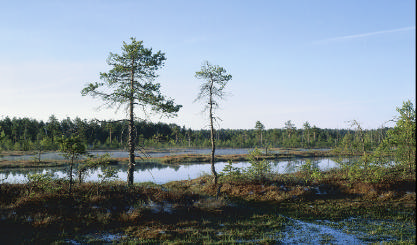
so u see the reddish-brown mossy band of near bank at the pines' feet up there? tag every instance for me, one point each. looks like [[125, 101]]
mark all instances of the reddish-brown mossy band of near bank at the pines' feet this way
[[95, 206]]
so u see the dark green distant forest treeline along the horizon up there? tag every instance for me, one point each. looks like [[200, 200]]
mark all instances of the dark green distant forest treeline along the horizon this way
[[30, 134]]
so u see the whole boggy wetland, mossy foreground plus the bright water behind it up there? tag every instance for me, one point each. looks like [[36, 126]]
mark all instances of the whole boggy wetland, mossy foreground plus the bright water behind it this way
[[177, 203]]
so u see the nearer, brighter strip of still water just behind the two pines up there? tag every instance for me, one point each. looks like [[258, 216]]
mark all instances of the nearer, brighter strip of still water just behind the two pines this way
[[160, 174]]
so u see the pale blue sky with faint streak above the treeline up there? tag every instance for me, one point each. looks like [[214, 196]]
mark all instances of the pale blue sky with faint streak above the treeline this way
[[324, 62]]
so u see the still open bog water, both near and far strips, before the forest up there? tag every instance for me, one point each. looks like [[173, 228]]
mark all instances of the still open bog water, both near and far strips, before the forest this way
[[154, 172]]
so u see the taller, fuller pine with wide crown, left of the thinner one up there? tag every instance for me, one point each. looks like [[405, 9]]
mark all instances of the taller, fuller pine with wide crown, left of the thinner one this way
[[130, 83]]
